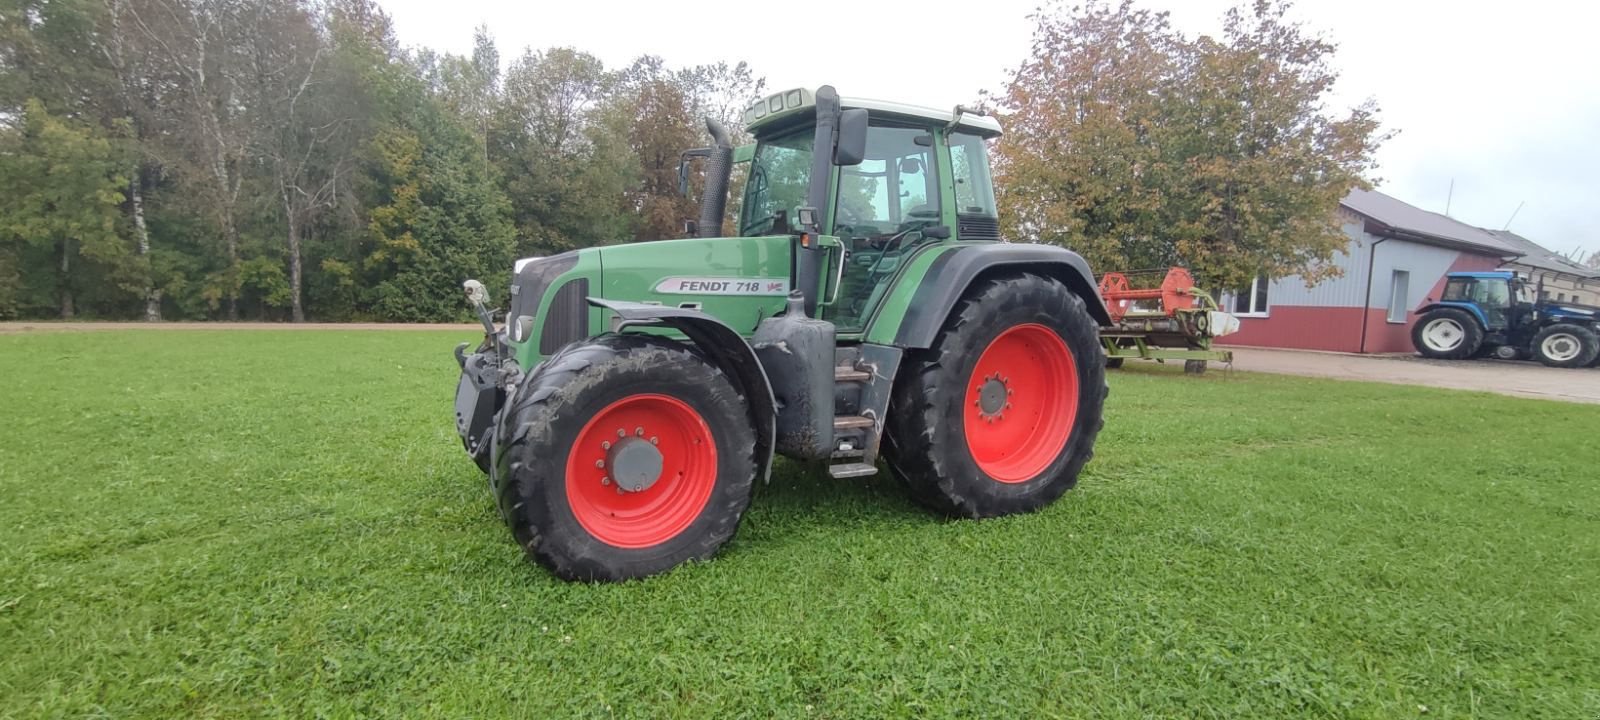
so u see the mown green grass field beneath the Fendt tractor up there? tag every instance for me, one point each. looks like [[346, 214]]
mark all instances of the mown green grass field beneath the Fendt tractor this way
[[282, 524]]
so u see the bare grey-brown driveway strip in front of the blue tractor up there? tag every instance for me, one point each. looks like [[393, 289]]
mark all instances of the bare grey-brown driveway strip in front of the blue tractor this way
[[1502, 377]]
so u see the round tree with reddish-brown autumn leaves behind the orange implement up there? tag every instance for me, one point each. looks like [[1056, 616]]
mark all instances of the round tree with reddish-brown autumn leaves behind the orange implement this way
[[1143, 148]]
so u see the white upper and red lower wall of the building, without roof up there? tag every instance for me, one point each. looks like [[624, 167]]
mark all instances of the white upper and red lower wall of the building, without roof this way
[[1334, 314]]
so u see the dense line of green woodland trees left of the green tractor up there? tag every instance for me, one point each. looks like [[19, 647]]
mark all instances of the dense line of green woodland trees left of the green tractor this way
[[290, 159]]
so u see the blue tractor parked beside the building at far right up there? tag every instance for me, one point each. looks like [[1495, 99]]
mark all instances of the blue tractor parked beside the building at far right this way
[[1497, 314]]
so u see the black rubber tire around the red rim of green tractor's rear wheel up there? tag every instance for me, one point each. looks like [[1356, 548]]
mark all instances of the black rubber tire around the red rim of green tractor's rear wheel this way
[[927, 442]]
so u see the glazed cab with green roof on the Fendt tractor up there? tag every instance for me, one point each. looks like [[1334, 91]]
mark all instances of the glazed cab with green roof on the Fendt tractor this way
[[902, 178]]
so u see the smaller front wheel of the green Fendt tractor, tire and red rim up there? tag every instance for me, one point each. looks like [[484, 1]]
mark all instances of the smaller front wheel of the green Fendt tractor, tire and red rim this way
[[628, 455]]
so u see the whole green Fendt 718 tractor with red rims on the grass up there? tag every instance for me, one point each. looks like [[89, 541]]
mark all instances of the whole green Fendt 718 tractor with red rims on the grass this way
[[866, 308]]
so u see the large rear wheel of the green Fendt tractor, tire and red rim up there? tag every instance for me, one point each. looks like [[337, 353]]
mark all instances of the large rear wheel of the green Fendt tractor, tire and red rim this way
[[1001, 415]]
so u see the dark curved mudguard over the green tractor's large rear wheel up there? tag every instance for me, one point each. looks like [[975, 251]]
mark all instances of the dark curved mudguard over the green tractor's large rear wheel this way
[[953, 273]]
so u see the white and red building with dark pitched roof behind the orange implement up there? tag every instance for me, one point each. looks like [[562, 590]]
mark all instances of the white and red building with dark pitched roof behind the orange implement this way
[[1396, 263]]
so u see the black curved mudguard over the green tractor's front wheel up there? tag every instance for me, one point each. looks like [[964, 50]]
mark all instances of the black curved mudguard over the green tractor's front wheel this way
[[722, 346]]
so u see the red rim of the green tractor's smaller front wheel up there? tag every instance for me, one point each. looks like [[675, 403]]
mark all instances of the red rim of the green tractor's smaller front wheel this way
[[668, 506]]
